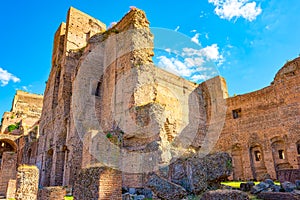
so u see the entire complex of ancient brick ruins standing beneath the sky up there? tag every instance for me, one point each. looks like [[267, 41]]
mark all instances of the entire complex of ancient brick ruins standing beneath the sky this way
[[110, 119]]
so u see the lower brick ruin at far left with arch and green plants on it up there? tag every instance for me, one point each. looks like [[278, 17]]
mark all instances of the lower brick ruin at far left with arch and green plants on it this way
[[18, 138]]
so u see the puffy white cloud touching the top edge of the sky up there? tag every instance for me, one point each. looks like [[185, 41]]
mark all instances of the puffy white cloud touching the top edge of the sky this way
[[228, 9]]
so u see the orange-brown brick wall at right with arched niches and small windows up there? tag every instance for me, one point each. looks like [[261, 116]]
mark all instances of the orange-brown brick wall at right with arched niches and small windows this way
[[262, 127]]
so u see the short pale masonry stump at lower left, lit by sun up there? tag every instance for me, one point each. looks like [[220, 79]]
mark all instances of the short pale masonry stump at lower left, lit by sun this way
[[27, 182]]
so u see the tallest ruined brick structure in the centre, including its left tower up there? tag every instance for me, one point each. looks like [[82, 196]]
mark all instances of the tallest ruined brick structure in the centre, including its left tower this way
[[144, 108]]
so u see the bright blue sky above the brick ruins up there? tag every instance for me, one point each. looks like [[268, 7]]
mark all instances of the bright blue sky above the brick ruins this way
[[248, 40]]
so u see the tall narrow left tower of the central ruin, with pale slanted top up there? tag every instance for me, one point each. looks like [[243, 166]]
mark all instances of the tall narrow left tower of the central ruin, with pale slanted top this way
[[55, 119]]
